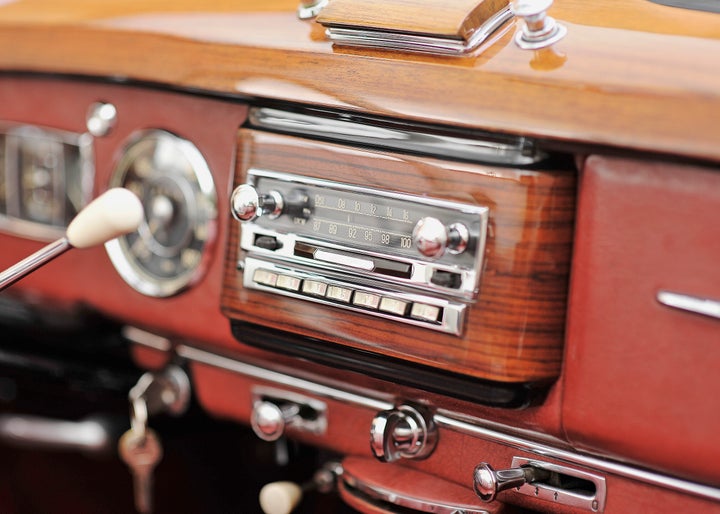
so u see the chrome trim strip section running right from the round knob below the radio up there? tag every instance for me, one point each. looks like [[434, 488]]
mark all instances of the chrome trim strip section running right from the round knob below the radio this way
[[570, 457]]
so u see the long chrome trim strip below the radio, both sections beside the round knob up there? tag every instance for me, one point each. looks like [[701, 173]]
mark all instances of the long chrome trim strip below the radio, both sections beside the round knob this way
[[450, 421]]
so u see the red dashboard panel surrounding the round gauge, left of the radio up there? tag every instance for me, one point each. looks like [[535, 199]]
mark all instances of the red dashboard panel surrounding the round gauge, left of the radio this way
[[87, 277]]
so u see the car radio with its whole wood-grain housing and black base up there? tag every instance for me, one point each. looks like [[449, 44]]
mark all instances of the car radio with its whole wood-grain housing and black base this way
[[445, 274]]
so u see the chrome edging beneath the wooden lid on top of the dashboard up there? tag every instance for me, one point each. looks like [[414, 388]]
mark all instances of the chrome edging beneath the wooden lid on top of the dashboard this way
[[370, 38]]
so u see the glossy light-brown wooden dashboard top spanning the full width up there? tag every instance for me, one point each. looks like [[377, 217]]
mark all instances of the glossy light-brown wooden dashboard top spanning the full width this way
[[630, 73]]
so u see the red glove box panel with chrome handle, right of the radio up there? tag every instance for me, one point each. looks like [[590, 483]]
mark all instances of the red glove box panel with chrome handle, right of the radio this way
[[641, 377]]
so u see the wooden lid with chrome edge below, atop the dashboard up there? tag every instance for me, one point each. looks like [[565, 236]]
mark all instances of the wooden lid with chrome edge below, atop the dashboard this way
[[458, 19]]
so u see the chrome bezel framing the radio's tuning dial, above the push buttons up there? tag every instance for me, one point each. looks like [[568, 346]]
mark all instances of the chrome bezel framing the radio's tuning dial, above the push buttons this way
[[346, 258]]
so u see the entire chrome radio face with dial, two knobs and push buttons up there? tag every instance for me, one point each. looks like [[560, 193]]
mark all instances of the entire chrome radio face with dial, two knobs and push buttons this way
[[403, 257]]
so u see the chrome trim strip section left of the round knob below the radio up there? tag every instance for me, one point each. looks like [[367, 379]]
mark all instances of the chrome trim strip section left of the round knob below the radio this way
[[242, 368]]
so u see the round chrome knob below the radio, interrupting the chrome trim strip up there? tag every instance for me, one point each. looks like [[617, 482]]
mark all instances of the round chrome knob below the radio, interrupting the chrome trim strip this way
[[404, 432]]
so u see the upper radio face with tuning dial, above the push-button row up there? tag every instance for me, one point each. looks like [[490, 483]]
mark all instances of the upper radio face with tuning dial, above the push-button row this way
[[369, 233]]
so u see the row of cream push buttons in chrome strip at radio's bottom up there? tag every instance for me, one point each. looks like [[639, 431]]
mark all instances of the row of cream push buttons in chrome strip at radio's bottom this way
[[433, 313]]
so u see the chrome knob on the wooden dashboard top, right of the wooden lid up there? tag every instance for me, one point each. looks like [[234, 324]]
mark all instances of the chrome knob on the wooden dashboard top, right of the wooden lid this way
[[540, 30]]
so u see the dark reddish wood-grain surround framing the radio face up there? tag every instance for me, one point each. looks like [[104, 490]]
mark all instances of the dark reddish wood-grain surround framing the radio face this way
[[514, 333]]
